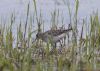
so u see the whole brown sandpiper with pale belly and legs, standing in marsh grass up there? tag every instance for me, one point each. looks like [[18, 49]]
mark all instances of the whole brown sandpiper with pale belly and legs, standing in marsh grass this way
[[53, 36]]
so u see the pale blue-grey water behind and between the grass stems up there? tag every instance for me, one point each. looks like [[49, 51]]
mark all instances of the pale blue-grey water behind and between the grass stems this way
[[46, 7]]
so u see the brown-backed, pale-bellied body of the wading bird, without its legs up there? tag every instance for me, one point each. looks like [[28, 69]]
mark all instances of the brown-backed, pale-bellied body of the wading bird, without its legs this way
[[54, 35]]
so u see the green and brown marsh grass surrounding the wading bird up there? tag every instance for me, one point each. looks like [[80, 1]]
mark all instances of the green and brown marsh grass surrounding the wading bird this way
[[82, 53]]
